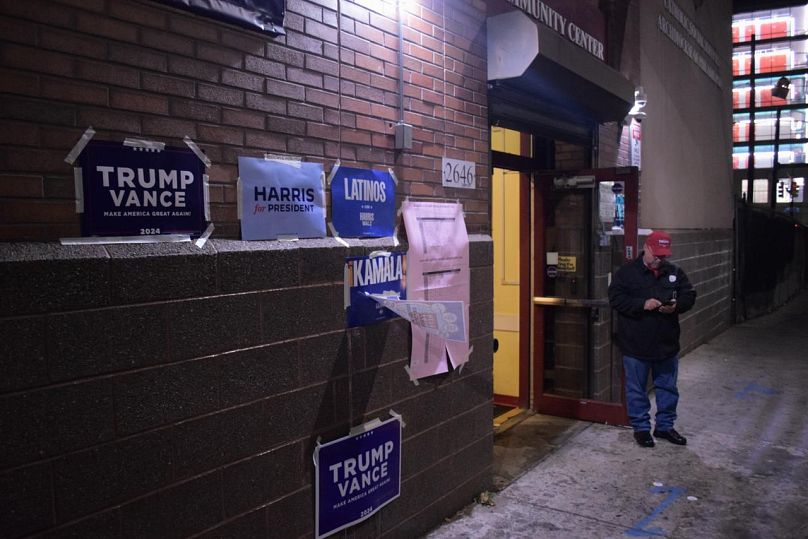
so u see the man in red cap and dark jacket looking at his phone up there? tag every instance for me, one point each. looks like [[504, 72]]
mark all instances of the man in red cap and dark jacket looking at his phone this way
[[648, 295]]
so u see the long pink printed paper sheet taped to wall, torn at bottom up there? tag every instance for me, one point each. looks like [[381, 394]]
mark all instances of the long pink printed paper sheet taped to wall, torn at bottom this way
[[438, 270]]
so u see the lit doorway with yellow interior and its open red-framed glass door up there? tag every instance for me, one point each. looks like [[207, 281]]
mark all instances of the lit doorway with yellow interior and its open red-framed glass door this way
[[558, 236]]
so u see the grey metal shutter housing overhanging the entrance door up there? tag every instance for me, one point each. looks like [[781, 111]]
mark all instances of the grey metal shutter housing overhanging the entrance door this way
[[531, 59]]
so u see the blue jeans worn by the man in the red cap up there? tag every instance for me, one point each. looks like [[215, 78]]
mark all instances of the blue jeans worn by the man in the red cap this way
[[667, 396]]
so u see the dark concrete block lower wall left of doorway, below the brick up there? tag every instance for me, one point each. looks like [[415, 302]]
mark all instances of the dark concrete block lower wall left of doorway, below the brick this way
[[165, 391]]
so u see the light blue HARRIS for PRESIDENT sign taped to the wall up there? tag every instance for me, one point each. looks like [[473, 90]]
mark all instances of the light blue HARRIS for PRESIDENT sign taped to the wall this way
[[281, 198]]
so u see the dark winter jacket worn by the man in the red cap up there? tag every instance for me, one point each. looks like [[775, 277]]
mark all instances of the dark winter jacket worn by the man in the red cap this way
[[649, 335]]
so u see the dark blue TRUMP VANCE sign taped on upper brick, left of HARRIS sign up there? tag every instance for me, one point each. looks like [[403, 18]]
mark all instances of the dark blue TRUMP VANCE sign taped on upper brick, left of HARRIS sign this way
[[132, 192]]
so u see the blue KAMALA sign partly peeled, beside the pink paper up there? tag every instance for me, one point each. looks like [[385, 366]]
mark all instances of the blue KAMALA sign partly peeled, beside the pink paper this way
[[383, 274]]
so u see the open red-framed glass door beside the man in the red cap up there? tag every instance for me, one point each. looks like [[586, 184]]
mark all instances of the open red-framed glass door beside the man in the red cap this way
[[584, 229]]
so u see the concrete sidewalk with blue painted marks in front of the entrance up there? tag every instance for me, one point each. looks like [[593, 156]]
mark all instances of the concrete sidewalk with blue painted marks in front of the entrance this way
[[743, 473]]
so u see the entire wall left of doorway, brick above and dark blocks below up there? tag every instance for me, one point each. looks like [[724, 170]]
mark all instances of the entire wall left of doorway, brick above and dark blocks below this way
[[165, 391]]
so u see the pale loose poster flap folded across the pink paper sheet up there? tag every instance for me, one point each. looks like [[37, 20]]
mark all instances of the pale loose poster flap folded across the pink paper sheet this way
[[440, 318]]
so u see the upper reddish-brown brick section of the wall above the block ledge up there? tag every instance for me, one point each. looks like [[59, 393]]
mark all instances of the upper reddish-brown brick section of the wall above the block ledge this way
[[325, 91]]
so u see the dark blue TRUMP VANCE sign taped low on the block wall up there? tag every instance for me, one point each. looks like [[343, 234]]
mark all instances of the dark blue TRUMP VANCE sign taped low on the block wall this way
[[356, 476]]
